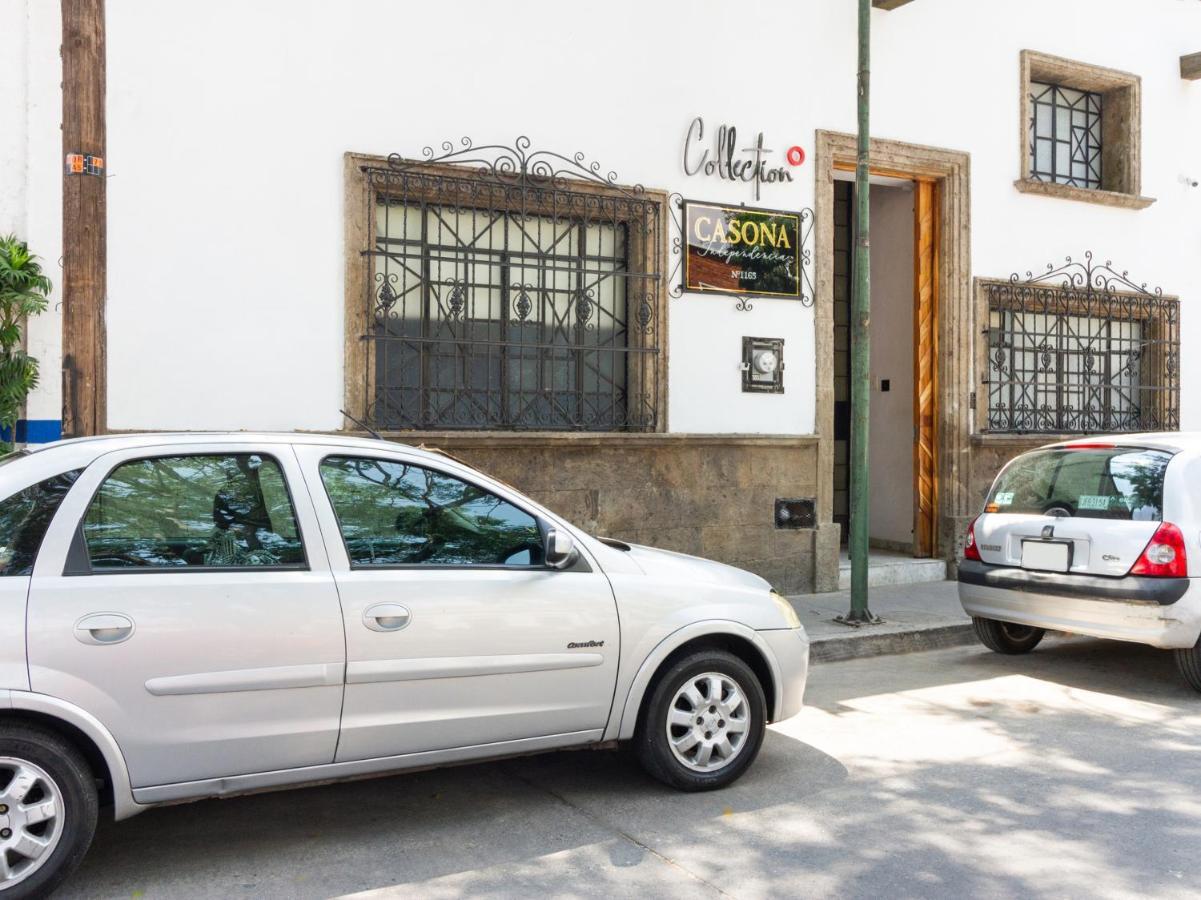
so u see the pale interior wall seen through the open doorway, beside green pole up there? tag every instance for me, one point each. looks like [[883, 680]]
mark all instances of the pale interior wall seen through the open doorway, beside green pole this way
[[891, 445]]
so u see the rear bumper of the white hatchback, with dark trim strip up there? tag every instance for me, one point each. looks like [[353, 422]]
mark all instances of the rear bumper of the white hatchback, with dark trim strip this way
[[1163, 613]]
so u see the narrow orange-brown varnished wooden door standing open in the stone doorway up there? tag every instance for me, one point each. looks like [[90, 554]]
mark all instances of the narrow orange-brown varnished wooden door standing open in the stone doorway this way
[[925, 377]]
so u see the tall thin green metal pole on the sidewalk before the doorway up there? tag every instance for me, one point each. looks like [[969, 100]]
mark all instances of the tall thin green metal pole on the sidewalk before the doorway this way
[[861, 344]]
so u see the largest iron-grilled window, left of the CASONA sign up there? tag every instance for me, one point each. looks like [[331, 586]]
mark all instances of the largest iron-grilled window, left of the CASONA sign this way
[[506, 301]]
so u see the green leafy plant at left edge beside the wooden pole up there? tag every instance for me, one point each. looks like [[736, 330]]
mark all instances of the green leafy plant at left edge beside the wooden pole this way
[[23, 290]]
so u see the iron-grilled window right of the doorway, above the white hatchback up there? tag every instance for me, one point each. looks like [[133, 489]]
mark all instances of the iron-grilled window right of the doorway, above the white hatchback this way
[[1082, 349]]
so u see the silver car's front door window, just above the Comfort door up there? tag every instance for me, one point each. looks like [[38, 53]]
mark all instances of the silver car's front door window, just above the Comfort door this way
[[396, 514]]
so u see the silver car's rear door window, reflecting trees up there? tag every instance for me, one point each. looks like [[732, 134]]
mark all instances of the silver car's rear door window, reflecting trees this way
[[217, 511]]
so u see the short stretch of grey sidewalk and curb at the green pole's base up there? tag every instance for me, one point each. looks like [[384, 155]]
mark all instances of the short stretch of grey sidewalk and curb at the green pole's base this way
[[917, 617]]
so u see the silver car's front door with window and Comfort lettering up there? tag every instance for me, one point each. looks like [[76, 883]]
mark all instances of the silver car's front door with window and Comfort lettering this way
[[456, 633]]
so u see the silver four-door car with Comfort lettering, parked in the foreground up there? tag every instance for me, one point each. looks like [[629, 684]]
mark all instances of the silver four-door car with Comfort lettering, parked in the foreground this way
[[206, 615]]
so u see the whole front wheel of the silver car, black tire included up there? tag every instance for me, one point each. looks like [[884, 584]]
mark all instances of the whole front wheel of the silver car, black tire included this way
[[692, 742]]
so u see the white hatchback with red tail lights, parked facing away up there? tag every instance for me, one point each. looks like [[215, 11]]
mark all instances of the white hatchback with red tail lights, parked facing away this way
[[1098, 537]]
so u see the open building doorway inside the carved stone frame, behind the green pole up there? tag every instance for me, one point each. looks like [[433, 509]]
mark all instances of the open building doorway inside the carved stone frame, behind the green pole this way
[[904, 373]]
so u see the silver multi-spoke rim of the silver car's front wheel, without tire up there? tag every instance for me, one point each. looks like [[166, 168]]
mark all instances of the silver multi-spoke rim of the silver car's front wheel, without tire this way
[[708, 723]]
